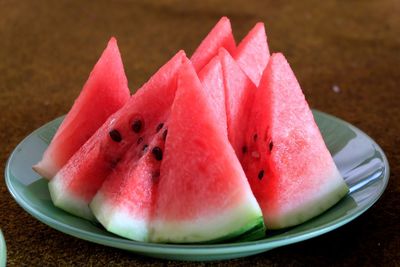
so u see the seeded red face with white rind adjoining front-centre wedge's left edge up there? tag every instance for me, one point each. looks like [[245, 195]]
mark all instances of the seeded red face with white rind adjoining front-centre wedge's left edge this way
[[124, 204]]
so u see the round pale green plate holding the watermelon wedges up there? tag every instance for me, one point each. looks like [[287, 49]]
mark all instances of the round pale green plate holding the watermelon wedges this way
[[360, 160]]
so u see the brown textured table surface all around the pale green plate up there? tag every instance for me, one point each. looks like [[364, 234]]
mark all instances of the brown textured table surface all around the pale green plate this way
[[47, 49]]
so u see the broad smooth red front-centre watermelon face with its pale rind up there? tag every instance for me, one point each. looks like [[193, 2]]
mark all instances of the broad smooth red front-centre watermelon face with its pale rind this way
[[203, 193]]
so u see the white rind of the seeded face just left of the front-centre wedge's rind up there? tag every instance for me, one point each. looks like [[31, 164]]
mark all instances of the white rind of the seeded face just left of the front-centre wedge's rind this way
[[119, 221]]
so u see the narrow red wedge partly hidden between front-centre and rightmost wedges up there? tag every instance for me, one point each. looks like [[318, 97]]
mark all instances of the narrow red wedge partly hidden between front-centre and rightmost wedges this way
[[239, 93]]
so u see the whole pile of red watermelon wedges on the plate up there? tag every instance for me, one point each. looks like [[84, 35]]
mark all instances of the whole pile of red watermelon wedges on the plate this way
[[215, 148]]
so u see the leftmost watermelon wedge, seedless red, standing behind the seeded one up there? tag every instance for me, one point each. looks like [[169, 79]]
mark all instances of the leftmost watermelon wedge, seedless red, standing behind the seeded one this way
[[104, 93]]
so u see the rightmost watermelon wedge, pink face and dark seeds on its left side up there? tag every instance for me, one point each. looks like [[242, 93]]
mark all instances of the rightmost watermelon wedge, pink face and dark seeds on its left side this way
[[291, 172]]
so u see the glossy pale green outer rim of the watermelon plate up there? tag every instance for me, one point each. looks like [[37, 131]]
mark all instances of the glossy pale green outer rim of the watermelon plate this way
[[196, 249]]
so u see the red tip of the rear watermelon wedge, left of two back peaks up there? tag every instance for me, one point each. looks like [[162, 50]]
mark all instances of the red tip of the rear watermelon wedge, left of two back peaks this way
[[219, 36]]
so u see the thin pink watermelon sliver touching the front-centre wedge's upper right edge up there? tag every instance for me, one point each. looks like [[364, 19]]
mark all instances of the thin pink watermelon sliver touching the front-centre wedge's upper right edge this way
[[212, 81]]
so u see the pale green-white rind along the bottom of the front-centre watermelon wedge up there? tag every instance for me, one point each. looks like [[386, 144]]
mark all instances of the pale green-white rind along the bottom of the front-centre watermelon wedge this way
[[230, 223]]
